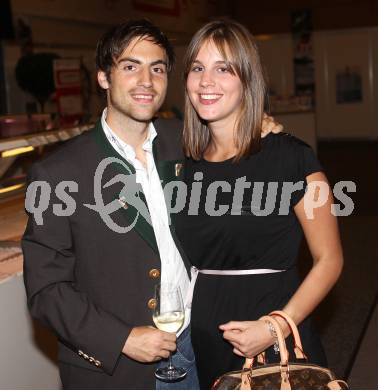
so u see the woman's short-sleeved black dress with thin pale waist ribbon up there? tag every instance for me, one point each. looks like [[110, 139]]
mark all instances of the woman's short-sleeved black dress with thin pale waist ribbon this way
[[243, 233]]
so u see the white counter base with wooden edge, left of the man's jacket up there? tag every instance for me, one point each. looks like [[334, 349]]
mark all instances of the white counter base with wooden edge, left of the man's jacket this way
[[28, 351]]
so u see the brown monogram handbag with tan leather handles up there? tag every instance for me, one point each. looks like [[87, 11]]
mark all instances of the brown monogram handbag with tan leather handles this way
[[284, 375]]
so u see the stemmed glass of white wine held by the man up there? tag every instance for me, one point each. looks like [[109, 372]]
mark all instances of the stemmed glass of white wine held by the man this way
[[169, 316]]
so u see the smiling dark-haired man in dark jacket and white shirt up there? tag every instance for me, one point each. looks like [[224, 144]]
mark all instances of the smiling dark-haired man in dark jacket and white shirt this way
[[90, 274]]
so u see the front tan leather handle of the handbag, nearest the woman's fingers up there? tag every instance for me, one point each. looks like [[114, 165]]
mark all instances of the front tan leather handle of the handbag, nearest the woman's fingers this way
[[284, 356]]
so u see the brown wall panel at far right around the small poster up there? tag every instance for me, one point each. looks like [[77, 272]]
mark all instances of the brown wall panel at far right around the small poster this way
[[334, 50]]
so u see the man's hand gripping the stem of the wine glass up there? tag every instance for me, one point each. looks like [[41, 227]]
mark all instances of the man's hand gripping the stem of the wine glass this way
[[146, 344]]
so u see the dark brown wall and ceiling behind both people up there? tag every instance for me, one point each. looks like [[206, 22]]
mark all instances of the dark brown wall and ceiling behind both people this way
[[72, 28]]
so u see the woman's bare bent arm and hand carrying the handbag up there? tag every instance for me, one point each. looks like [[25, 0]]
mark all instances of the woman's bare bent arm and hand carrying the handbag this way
[[321, 231]]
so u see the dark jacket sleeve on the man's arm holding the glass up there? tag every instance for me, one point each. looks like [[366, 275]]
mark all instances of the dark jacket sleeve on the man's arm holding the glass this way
[[52, 295]]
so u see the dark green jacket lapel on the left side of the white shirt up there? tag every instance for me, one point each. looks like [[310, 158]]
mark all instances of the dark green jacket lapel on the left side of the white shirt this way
[[134, 206]]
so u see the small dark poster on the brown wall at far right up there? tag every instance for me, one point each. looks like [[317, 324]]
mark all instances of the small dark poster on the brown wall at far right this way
[[349, 85]]
